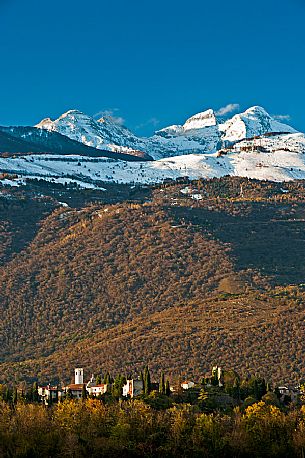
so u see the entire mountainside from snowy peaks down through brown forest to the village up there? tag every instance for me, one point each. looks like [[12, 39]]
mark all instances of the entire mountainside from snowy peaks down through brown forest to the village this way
[[180, 277]]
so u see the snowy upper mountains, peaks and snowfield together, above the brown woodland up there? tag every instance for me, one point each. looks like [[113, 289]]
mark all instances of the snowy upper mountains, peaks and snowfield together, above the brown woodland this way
[[251, 144]]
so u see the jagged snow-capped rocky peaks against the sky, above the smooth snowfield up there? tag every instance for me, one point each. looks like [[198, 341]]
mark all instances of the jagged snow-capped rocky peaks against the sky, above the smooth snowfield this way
[[201, 133]]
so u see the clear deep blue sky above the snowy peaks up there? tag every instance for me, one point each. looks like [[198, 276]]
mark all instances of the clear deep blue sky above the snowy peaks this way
[[151, 63]]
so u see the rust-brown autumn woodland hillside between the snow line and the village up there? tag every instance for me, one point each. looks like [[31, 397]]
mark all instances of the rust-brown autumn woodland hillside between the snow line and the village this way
[[155, 277]]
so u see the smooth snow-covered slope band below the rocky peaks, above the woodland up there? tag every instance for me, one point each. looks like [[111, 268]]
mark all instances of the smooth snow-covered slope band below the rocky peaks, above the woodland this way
[[282, 159]]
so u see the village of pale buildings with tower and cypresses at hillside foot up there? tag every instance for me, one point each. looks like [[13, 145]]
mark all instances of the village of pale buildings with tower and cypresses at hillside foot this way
[[136, 387]]
